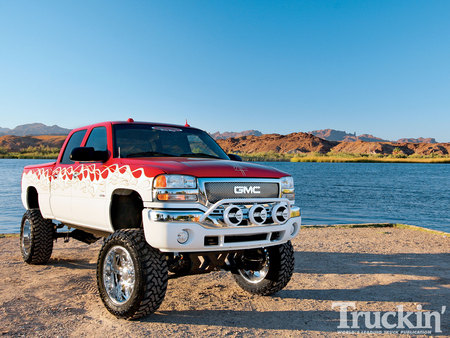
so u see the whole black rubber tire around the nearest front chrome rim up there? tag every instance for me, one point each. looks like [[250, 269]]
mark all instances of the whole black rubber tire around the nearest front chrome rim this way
[[151, 275]]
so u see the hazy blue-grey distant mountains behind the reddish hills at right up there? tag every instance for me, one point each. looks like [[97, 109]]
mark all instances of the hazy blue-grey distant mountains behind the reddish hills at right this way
[[342, 136]]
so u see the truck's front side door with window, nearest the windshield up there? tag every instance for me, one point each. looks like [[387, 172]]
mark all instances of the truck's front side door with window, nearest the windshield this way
[[90, 205]]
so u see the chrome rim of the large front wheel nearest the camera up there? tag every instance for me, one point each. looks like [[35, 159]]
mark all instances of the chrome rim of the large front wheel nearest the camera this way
[[119, 275]]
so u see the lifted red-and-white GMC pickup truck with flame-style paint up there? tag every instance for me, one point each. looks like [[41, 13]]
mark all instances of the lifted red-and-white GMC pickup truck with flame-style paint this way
[[168, 202]]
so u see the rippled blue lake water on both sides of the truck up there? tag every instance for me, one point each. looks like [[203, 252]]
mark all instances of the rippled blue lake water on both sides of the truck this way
[[327, 193]]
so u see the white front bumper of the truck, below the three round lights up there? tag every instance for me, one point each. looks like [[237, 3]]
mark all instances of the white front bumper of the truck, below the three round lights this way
[[162, 227]]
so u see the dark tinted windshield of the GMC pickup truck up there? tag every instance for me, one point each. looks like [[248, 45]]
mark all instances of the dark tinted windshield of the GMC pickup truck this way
[[146, 140]]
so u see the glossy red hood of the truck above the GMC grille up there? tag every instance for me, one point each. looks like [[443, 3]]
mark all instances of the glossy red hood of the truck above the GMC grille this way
[[200, 167]]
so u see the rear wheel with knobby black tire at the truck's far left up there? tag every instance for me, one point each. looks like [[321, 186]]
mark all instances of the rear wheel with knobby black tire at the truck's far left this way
[[39, 245]]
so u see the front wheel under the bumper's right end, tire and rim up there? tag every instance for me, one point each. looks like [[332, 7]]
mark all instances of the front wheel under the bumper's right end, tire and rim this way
[[265, 271]]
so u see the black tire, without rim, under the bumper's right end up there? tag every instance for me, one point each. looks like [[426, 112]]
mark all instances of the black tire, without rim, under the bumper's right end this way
[[281, 268]]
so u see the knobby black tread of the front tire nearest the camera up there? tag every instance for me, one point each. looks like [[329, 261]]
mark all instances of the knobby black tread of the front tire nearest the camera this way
[[154, 272]]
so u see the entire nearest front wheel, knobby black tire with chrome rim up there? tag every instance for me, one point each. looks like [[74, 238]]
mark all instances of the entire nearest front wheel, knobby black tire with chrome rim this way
[[131, 275]]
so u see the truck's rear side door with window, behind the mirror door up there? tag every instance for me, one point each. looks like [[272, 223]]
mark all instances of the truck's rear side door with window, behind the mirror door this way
[[62, 180]]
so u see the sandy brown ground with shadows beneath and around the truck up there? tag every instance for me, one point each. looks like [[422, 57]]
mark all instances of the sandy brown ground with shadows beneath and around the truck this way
[[377, 268]]
